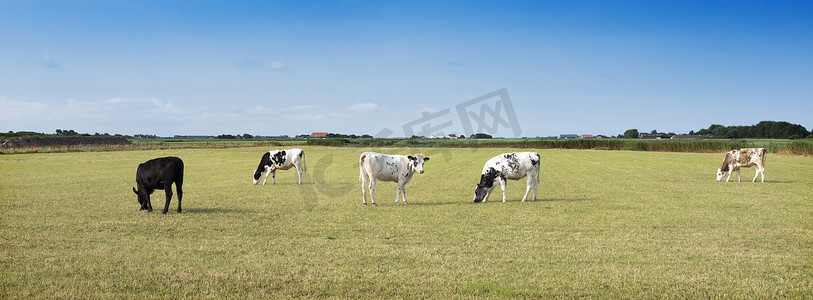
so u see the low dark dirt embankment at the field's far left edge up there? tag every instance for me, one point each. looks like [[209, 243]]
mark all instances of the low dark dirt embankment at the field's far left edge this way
[[47, 141]]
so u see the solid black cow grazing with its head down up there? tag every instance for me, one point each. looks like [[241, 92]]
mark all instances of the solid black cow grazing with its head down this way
[[159, 173]]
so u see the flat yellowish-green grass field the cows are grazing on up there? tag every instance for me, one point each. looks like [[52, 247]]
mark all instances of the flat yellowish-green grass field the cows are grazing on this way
[[607, 224]]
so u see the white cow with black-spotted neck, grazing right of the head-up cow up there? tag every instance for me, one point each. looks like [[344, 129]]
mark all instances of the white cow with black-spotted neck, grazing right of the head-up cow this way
[[512, 166]]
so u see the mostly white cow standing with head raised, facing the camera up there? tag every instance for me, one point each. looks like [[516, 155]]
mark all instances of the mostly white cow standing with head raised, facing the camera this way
[[397, 168]]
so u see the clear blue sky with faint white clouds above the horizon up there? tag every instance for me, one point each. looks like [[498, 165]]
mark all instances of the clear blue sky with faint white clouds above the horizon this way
[[363, 67]]
